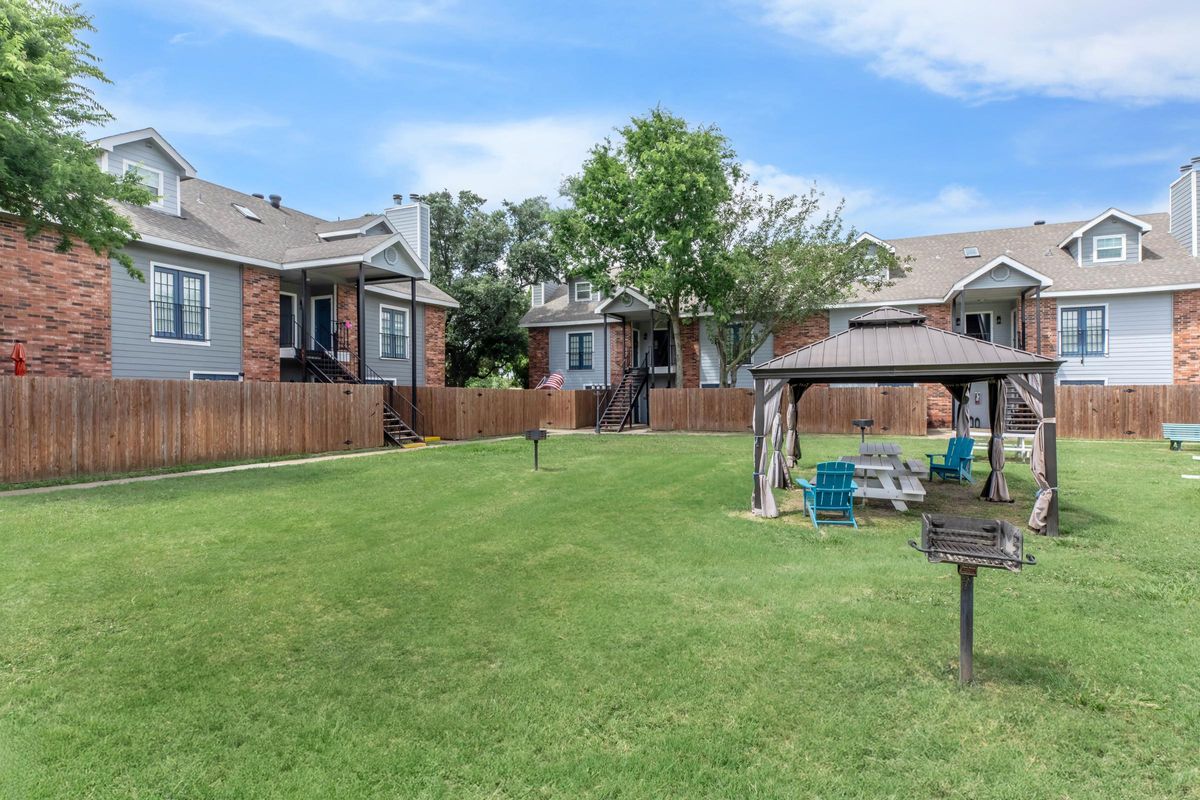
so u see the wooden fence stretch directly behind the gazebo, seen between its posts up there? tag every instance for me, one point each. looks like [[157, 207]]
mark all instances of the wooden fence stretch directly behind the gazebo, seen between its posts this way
[[899, 411]]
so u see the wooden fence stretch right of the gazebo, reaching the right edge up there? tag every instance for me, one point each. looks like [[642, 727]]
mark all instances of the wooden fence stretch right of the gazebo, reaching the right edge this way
[[1125, 412]]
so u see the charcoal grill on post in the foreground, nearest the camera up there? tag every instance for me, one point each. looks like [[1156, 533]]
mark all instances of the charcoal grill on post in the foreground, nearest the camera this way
[[971, 544]]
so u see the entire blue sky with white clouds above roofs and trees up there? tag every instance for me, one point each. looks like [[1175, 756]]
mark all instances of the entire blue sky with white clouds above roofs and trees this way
[[926, 117]]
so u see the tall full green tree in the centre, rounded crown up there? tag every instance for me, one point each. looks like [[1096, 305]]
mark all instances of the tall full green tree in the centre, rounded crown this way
[[646, 213]]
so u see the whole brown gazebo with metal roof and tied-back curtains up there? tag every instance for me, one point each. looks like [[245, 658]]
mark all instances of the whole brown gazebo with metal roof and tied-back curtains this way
[[895, 346]]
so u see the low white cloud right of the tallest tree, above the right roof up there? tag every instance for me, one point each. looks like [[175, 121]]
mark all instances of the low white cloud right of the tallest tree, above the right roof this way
[[952, 208]]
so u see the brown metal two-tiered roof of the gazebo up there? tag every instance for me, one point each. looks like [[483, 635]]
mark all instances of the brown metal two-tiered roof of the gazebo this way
[[890, 344]]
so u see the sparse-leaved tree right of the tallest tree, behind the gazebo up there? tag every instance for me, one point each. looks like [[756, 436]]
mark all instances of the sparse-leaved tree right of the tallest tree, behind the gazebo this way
[[783, 261]]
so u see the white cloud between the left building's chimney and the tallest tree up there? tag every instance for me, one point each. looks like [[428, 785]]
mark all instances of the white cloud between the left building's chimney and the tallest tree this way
[[508, 160]]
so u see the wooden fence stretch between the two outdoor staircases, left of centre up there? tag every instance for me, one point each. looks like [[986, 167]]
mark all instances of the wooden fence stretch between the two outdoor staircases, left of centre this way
[[454, 413]]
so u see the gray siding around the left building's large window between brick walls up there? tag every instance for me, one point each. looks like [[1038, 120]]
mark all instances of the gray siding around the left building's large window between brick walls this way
[[136, 357]]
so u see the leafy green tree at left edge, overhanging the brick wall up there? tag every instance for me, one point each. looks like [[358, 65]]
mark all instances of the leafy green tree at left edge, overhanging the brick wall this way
[[49, 176]]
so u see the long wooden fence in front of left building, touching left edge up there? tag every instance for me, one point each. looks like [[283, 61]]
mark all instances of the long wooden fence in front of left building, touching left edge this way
[[55, 428]]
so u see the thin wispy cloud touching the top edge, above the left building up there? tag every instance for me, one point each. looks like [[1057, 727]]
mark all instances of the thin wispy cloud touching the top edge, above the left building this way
[[363, 32]]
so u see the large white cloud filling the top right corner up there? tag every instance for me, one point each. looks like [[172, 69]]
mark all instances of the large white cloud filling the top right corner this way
[[1103, 50]]
